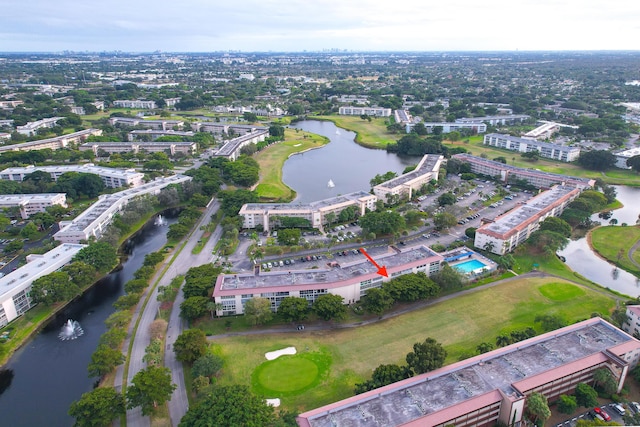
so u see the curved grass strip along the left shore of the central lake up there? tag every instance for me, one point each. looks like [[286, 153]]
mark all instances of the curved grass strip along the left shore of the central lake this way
[[271, 159]]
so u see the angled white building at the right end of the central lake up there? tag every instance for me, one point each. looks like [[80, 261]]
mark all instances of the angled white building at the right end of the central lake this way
[[406, 184]]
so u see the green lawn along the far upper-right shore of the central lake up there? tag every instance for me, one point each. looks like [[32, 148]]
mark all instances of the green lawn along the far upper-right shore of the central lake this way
[[371, 134]]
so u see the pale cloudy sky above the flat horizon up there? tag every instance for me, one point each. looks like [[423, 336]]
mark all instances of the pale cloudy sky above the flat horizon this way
[[314, 25]]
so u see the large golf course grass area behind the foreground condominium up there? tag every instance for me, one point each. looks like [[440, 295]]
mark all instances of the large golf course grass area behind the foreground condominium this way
[[460, 324]]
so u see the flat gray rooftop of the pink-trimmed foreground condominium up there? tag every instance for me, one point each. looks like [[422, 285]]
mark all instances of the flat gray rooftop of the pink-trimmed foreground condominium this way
[[497, 370]]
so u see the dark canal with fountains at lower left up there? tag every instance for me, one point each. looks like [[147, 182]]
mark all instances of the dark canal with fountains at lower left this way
[[46, 375]]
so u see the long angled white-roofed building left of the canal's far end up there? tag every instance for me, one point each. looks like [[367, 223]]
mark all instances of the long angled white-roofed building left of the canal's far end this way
[[97, 217]]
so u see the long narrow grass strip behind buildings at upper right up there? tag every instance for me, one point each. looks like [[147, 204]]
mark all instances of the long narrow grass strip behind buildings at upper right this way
[[613, 177]]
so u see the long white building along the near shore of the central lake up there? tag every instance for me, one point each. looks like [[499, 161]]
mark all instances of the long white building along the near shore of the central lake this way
[[264, 214]]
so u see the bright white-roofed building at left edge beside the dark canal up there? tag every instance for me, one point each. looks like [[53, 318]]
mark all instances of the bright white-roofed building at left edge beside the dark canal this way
[[16, 286]]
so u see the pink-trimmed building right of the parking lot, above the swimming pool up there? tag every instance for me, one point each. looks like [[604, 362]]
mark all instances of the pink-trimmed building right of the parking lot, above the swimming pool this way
[[514, 227]]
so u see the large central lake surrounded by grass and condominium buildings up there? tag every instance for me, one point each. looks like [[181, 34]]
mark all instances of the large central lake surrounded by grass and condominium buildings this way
[[348, 165]]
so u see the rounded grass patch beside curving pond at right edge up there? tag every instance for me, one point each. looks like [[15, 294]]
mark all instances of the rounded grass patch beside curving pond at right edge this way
[[613, 243]]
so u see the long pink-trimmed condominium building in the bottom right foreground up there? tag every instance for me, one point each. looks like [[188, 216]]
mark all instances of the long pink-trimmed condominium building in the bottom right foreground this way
[[493, 386]]
